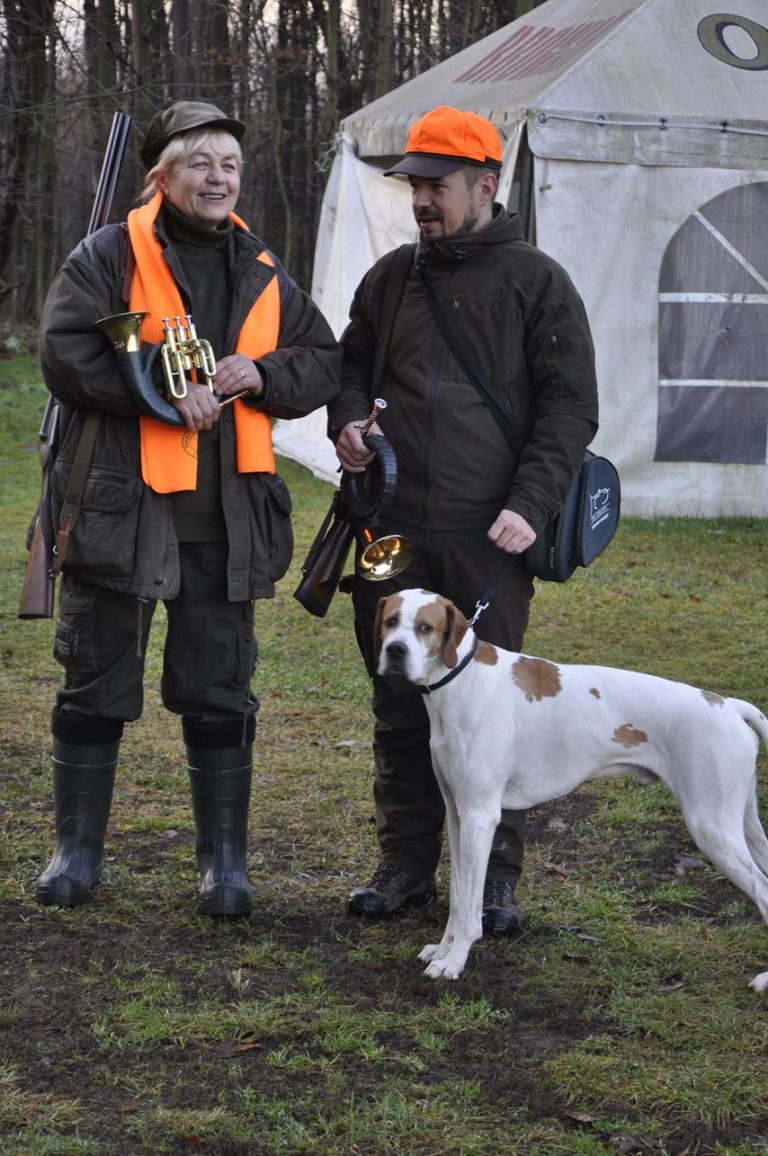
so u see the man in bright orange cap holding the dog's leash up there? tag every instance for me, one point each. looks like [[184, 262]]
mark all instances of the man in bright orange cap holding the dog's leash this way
[[467, 499]]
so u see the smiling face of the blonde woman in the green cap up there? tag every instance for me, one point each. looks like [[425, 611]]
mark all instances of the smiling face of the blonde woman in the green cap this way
[[204, 187]]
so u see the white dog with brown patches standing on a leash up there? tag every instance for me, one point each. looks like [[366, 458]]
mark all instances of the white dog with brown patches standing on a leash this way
[[514, 731]]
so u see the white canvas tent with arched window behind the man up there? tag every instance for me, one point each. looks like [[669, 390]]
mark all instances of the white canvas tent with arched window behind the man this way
[[647, 122]]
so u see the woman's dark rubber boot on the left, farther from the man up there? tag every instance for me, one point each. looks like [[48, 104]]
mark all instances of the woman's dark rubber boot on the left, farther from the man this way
[[84, 780]]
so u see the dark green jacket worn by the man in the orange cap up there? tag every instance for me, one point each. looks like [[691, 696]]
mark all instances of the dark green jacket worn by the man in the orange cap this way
[[523, 327]]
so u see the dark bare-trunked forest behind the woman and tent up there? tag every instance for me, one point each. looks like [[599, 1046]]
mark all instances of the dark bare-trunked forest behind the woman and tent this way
[[292, 70]]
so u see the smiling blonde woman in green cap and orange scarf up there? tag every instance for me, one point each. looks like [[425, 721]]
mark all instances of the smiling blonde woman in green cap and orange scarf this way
[[193, 514]]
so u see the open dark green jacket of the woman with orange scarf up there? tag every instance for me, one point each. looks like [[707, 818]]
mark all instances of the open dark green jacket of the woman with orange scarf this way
[[124, 538]]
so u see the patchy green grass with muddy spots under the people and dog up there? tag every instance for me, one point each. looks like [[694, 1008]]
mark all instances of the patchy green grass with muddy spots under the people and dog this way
[[619, 1022]]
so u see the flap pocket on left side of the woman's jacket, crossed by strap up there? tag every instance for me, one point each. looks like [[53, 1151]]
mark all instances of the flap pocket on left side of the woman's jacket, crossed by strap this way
[[104, 538]]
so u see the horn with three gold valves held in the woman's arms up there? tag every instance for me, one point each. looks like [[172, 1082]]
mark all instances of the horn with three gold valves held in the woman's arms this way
[[182, 354]]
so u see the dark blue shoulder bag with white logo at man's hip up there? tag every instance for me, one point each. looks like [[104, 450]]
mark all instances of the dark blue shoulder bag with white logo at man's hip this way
[[585, 527]]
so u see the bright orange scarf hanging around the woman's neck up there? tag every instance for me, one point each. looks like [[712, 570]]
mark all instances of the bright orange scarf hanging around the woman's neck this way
[[169, 456]]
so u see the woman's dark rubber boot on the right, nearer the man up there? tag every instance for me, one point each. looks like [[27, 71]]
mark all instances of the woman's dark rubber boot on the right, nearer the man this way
[[221, 791]]
